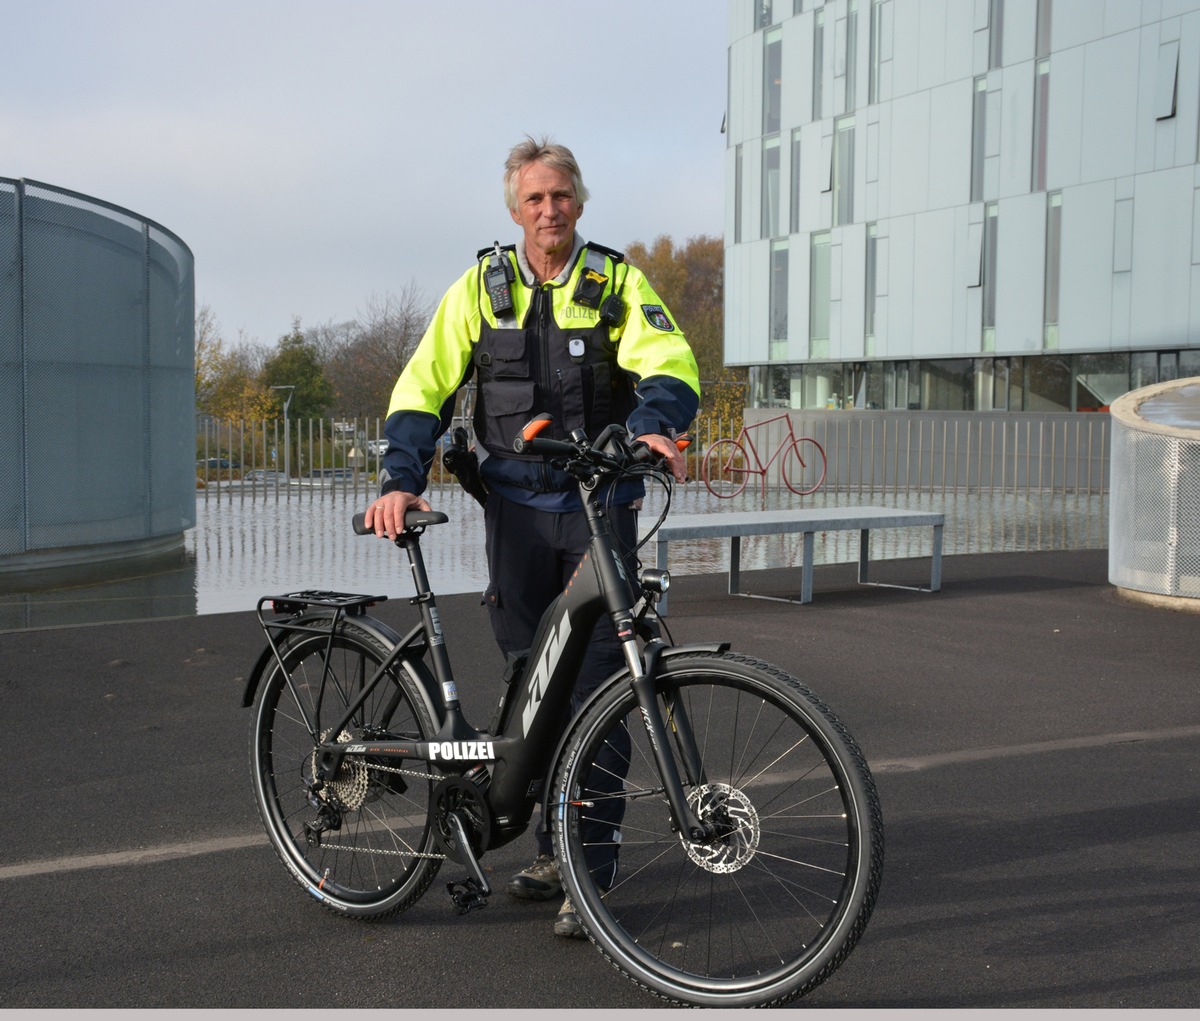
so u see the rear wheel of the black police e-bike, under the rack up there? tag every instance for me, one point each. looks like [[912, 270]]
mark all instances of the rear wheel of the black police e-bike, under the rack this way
[[363, 843]]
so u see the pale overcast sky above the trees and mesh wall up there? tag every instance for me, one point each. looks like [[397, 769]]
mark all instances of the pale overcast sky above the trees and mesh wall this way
[[315, 155]]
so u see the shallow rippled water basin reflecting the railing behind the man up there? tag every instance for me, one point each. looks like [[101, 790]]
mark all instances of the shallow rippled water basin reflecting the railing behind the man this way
[[249, 546]]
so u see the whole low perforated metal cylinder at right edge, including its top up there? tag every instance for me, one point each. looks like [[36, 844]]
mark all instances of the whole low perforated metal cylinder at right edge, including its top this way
[[1155, 502]]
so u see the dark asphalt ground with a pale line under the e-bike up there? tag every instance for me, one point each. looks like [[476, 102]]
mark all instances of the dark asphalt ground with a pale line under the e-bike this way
[[1036, 741]]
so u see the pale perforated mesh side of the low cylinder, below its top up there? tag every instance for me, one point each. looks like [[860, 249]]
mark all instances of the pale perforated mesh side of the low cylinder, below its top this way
[[1155, 512]]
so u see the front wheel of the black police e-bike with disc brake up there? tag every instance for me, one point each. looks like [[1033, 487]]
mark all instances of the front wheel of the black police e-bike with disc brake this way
[[775, 904]]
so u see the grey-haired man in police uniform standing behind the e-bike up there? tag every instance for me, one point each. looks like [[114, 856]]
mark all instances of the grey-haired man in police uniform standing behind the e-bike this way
[[551, 325]]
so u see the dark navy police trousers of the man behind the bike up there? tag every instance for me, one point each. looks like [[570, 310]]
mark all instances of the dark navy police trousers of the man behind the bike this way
[[531, 557]]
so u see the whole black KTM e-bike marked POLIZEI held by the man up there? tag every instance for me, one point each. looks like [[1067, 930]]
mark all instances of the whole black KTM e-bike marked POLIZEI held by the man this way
[[743, 816]]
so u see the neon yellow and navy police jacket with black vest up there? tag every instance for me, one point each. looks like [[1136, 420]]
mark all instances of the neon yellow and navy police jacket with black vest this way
[[563, 351]]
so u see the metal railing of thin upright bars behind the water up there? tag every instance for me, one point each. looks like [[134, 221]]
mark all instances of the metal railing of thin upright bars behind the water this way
[[903, 453]]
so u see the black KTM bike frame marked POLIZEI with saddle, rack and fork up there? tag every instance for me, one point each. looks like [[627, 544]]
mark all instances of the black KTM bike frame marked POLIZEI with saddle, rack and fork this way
[[529, 726]]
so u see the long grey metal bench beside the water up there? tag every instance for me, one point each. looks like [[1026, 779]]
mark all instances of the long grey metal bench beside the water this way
[[809, 522]]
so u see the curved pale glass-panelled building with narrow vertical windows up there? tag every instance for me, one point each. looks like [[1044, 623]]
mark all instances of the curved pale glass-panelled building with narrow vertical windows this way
[[962, 205]]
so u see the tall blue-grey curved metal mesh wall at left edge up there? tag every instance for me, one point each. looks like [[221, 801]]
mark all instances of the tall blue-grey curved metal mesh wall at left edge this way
[[97, 374]]
